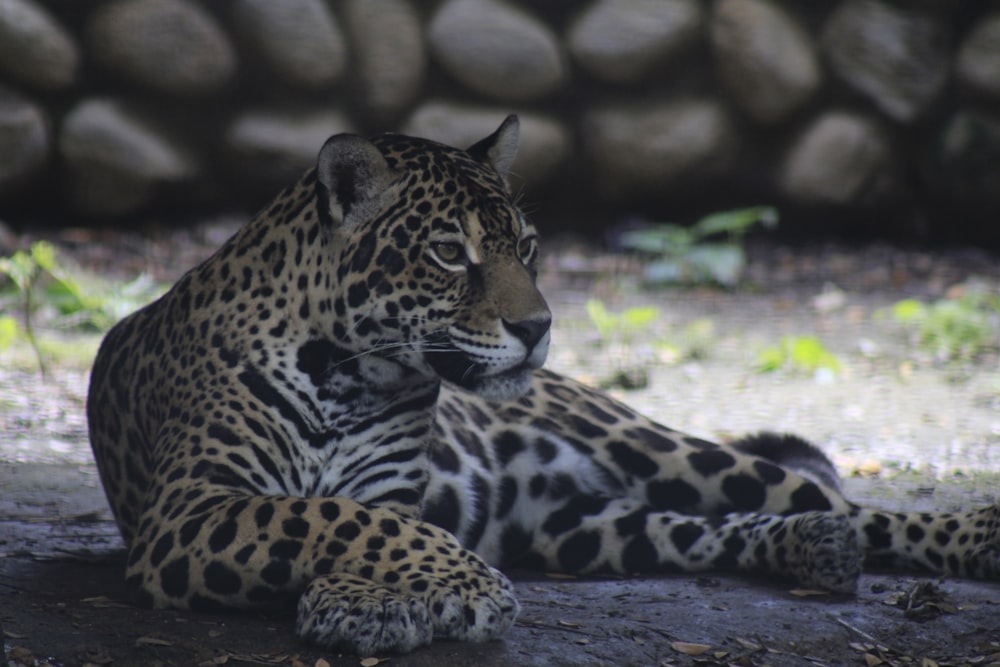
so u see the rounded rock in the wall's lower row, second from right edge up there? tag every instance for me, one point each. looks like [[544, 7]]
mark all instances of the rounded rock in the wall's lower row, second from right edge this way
[[840, 158]]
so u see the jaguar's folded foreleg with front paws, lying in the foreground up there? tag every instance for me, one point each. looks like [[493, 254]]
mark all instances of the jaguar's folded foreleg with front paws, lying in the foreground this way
[[376, 581]]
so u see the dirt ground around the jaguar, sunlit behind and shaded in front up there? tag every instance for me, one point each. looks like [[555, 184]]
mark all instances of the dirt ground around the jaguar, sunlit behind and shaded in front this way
[[908, 431]]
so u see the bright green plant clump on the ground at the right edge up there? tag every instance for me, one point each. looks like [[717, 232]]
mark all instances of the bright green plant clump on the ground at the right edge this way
[[959, 328]]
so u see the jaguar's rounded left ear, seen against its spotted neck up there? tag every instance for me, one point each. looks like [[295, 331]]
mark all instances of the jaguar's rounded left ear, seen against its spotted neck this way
[[351, 173]]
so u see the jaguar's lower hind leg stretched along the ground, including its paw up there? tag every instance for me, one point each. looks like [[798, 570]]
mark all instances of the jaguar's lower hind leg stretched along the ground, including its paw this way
[[589, 534]]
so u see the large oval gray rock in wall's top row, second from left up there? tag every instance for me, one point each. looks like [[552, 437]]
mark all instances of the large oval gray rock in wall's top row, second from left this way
[[172, 46]]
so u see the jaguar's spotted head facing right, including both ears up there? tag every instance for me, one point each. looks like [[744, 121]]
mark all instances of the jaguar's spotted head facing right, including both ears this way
[[435, 265]]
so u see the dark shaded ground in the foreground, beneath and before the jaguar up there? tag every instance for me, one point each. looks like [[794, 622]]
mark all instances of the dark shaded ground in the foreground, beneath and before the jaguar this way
[[62, 603]]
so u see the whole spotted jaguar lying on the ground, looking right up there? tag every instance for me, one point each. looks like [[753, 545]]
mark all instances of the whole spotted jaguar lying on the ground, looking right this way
[[344, 410]]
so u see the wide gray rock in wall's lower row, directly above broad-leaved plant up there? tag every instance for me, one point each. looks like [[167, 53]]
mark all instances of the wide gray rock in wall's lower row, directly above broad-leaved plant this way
[[651, 147]]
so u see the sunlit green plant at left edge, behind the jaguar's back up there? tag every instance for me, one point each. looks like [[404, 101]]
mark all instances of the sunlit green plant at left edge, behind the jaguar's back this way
[[41, 288]]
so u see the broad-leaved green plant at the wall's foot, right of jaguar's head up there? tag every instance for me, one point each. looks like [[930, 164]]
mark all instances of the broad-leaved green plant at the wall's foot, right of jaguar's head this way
[[685, 255]]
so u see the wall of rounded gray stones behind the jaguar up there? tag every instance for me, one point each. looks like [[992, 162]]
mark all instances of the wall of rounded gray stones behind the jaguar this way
[[882, 114]]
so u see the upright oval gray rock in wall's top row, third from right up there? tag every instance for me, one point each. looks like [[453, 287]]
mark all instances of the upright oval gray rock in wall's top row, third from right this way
[[765, 59]]
